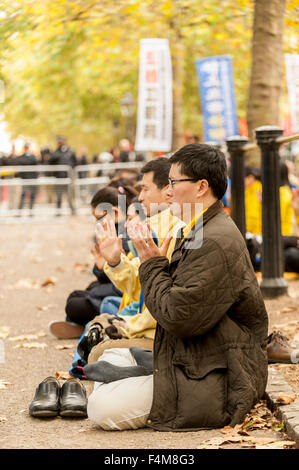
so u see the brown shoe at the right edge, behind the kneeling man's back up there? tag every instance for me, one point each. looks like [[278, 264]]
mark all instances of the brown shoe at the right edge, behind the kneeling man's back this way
[[279, 350]]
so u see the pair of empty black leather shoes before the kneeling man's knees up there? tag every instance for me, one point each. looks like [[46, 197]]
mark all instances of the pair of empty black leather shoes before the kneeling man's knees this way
[[51, 399]]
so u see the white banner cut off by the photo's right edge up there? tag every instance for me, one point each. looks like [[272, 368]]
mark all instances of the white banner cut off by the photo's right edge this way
[[292, 73]]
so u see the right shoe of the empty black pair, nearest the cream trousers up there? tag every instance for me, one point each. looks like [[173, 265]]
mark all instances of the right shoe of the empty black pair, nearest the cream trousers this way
[[73, 401]]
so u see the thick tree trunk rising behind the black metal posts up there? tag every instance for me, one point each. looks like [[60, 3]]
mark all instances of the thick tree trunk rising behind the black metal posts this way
[[267, 69]]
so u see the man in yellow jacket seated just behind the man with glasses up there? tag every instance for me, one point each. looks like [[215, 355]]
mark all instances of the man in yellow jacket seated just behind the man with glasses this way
[[154, 199]]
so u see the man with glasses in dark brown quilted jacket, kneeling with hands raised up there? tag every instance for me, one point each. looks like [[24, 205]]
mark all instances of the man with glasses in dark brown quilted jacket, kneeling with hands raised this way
[[210, 362]]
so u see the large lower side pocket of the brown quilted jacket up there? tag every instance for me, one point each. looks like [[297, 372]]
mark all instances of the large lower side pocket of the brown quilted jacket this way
[[201, 395]]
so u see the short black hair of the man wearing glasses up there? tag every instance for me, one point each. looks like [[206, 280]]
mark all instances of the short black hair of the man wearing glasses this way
[[202, 161]]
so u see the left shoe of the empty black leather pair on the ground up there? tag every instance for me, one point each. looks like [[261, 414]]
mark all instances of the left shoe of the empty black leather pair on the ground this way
[[46, 399]]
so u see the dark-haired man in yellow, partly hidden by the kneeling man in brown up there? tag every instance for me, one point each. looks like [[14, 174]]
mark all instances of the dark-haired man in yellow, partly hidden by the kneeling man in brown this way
[[122, 270]]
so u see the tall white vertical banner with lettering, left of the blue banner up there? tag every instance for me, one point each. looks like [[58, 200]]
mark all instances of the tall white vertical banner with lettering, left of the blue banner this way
[[154, 119]]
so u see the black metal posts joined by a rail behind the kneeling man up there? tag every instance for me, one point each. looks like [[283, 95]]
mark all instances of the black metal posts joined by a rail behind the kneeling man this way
[[268, 139]]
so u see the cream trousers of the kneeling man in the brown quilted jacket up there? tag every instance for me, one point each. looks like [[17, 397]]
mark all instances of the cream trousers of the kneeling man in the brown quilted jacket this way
[[122, 404]]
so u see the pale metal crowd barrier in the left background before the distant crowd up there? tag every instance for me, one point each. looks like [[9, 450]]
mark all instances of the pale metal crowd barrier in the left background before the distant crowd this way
[[79, 189]]
